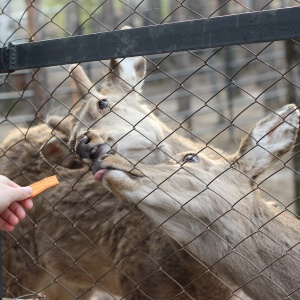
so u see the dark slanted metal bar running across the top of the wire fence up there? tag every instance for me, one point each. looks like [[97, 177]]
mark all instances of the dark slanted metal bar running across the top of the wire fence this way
[[257, 27]]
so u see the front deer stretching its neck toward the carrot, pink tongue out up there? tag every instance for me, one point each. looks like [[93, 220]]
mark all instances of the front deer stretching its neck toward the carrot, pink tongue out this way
[[211, 208]]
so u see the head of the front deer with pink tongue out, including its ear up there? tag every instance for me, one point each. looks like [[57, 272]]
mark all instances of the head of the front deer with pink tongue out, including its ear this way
[[229, 177]]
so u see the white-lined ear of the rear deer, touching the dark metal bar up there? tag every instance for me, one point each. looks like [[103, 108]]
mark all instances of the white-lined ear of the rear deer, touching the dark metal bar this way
[[127, 73]]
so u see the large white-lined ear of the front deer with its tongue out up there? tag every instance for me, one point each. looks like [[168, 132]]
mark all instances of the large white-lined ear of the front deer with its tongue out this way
[[269, 140]]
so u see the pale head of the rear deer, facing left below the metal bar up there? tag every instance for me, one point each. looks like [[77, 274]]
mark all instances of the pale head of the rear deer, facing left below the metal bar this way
[[112, 119]]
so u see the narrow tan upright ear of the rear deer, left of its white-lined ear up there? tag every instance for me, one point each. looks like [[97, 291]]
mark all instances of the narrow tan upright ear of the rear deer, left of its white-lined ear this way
[[81, 80]]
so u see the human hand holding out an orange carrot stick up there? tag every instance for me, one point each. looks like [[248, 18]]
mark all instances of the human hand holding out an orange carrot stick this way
[[13, 202]]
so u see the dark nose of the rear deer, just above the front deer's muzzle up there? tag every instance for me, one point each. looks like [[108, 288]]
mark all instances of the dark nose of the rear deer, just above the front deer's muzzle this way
[[87, 149]]
